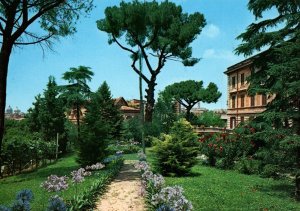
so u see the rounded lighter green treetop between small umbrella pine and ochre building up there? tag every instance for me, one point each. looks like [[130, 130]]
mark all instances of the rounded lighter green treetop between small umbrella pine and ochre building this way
[[210, 118]]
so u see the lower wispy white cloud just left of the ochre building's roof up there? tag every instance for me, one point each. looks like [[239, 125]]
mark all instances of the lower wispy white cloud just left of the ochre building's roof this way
[[220, 54]]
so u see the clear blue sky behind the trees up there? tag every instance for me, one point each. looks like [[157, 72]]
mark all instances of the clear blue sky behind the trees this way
[[29, 69]]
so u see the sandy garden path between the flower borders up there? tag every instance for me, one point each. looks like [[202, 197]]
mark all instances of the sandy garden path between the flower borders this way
[[123, 193]]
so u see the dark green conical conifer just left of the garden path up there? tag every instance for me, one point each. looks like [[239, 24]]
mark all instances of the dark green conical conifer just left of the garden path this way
[[100, 125]]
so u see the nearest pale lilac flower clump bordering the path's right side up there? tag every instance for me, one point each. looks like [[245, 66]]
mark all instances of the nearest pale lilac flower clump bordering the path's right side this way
[[173, 197]]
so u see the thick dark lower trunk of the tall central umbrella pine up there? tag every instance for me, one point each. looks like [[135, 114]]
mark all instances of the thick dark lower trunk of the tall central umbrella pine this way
[[150, 99]]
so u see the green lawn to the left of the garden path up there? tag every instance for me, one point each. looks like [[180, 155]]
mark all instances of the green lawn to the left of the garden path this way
[[11, 185]]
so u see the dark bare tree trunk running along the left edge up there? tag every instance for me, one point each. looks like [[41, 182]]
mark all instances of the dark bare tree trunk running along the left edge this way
[[4, 60]]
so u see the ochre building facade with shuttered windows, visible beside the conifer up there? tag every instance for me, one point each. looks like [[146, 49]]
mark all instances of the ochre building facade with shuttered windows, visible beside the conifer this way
[[240, 106]]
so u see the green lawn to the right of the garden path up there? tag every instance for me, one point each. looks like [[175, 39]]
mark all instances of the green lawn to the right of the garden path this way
[[214, 189]]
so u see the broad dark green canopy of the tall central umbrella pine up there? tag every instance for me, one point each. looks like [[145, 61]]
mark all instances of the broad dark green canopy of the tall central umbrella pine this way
[[154, 25]]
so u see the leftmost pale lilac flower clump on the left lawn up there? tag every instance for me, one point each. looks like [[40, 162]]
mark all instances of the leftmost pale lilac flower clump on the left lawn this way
[[55, 183]]
